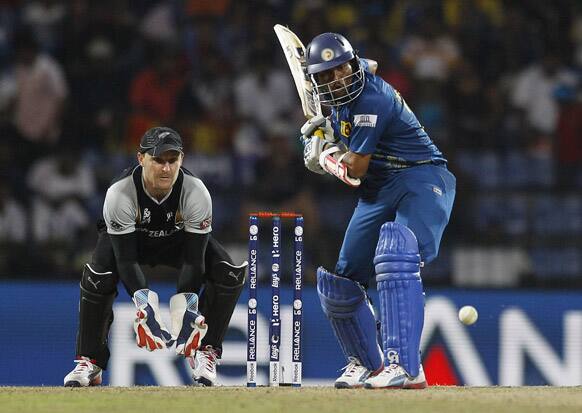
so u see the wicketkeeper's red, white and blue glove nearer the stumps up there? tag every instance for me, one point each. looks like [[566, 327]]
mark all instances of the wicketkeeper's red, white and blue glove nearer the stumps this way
[[188, 325]]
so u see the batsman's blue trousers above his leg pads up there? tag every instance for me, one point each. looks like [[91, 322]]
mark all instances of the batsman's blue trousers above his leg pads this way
[[420, 197]]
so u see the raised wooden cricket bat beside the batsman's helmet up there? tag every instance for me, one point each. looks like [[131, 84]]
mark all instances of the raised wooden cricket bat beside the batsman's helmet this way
[[295, 55]]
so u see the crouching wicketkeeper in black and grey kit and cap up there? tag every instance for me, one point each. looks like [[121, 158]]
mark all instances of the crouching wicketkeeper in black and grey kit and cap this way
[[157, 213]]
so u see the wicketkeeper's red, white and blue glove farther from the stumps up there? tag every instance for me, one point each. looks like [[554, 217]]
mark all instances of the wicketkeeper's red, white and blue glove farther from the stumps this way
[[150, 330]]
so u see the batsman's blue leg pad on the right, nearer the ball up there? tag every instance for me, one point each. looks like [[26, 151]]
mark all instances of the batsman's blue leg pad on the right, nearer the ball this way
[[397, 264]]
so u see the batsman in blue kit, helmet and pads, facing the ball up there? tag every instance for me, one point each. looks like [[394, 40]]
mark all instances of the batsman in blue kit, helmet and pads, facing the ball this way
[[374, 142]]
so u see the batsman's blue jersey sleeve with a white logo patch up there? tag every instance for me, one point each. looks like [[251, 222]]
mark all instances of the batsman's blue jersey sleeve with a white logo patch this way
[[371, 114]]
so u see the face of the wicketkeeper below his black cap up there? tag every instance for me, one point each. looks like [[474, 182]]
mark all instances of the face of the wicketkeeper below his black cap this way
[[160, 172]]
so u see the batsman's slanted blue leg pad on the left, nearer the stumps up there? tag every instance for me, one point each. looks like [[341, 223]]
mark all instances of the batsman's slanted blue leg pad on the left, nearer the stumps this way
[[345, 304]]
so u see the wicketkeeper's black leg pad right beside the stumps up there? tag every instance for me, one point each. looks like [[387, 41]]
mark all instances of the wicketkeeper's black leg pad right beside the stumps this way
[[219, 299]]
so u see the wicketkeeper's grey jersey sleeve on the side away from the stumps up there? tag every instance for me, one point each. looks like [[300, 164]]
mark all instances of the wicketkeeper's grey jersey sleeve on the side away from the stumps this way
[[120, 208]]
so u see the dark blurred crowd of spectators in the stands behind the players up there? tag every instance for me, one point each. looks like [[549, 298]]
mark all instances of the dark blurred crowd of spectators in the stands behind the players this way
[[497, 85]]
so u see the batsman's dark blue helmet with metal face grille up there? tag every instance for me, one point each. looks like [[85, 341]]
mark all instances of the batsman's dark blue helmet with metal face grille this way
[[327, 51]]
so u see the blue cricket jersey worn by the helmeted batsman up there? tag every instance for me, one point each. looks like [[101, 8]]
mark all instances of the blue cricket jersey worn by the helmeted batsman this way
[[379, 122]]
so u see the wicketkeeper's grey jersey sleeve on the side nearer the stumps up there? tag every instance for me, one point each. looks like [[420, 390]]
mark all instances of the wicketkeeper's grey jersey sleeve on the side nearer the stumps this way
[[196, 206]]
